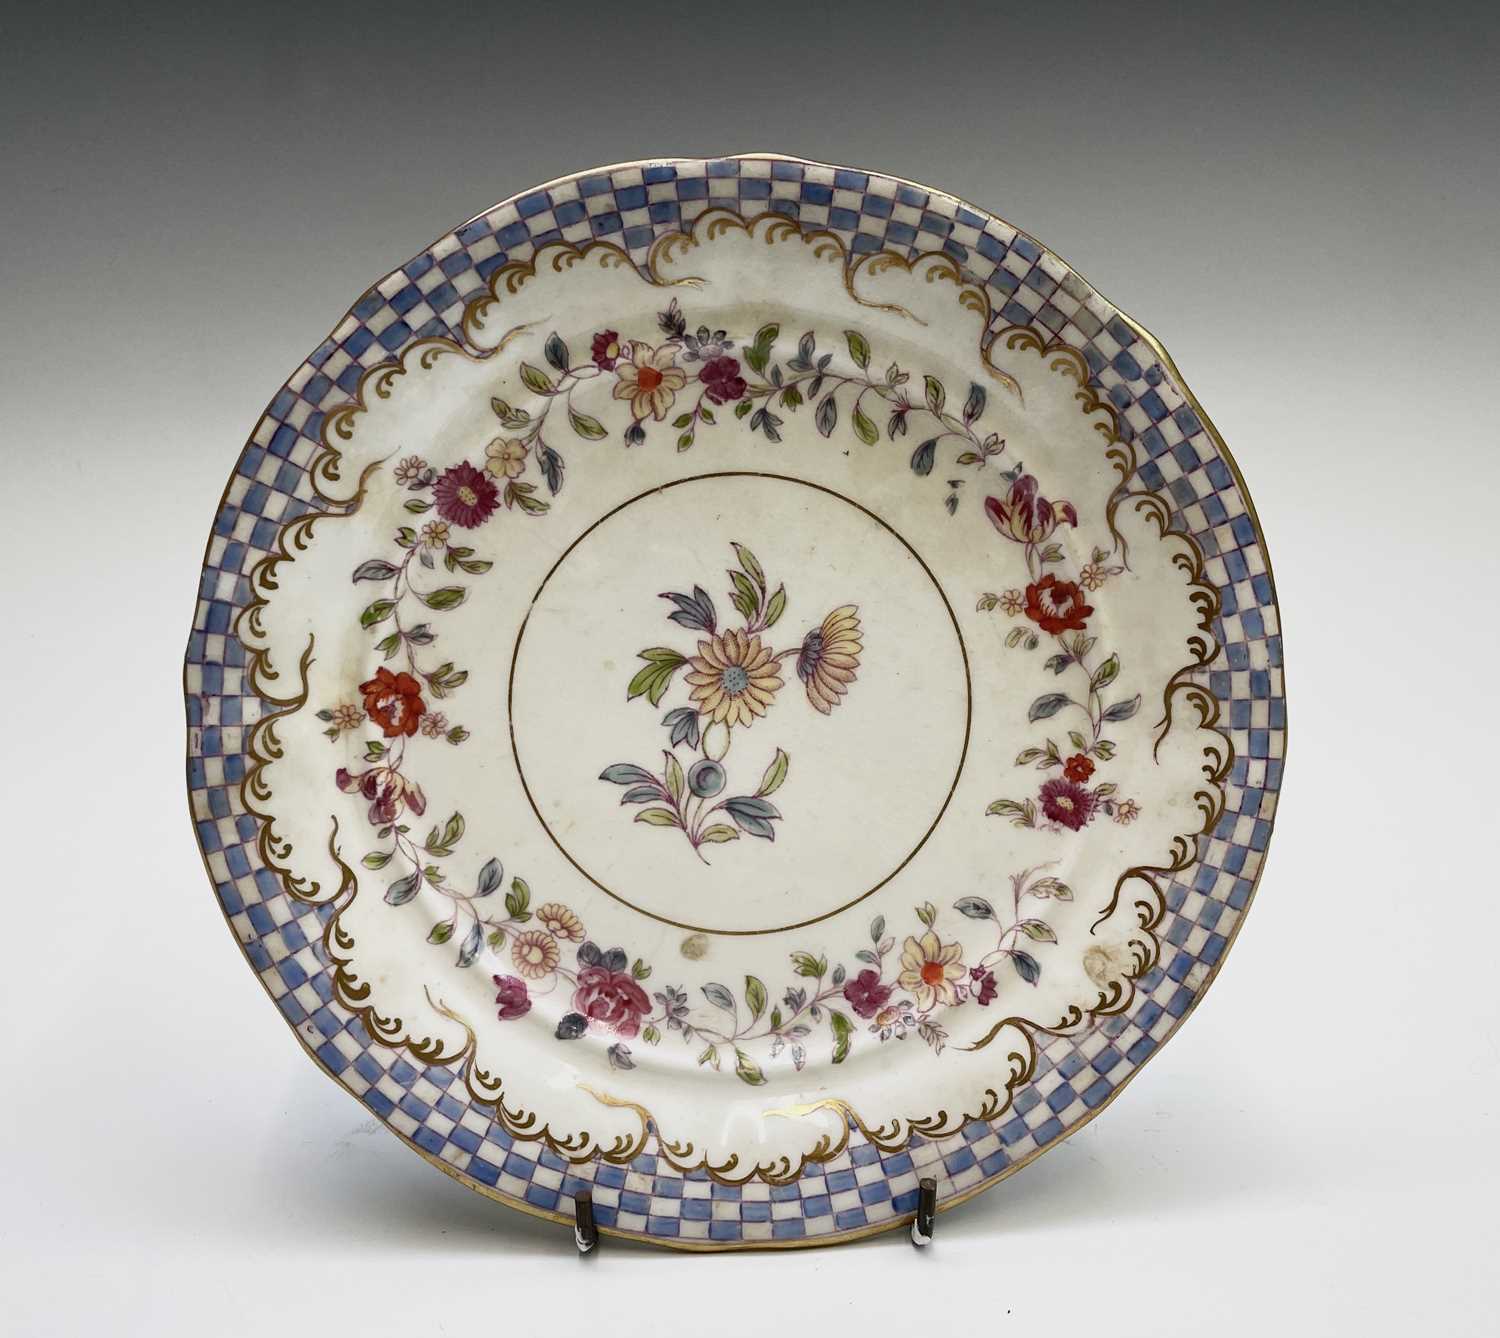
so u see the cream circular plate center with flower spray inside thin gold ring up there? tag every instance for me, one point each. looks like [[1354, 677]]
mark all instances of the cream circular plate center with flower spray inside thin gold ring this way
[[740, 703]]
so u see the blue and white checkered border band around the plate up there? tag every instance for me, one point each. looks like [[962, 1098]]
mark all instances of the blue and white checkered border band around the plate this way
[[863, 1190]]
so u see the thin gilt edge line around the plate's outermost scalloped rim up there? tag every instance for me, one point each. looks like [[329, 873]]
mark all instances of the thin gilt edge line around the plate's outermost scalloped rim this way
[[1088, 1118]]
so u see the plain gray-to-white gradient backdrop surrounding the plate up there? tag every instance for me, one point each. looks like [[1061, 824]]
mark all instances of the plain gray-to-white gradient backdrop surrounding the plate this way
[[1300, 200]]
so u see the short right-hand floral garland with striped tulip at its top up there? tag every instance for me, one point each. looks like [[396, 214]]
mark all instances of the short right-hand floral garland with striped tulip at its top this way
[[1057, 607]]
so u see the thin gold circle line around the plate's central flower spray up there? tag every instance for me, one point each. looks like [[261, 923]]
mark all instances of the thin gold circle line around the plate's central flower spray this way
[[968, 703]]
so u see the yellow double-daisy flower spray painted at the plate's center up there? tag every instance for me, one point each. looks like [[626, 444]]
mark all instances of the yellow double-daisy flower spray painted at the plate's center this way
[[733, 680]]
